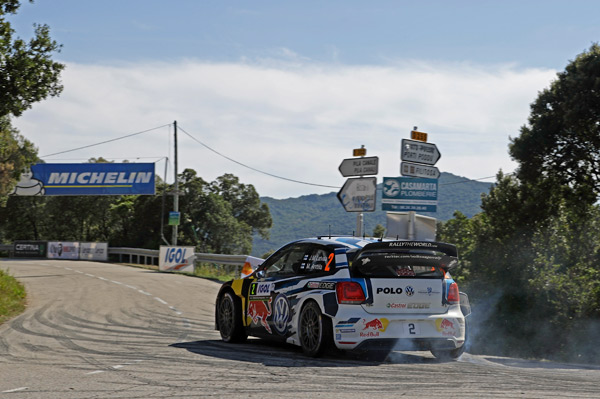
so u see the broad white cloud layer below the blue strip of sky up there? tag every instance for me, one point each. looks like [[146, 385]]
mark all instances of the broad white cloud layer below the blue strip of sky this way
[[291, 117]]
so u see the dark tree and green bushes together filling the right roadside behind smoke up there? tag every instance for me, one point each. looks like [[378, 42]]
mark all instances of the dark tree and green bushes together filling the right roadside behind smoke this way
[[531, 257]]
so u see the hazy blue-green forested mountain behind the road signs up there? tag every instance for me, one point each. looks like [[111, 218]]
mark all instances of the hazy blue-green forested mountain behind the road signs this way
[[312, 215]]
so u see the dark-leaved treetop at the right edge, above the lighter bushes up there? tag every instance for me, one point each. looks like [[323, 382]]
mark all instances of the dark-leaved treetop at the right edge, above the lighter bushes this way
[[562, 140]]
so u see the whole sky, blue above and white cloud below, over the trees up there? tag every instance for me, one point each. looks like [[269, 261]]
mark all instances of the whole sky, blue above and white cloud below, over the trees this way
[[279, 93]]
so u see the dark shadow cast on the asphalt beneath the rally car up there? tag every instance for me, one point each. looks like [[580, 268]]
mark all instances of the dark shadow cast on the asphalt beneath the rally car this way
[[285, 355]]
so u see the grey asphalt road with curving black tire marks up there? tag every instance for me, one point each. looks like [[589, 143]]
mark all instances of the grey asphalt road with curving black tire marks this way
[[96, 330]]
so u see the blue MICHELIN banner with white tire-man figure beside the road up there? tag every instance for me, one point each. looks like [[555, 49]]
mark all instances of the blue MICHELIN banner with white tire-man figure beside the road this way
[[87, 179]]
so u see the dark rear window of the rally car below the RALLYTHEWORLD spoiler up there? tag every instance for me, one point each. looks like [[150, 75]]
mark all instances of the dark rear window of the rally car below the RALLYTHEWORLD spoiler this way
[[406, 264]]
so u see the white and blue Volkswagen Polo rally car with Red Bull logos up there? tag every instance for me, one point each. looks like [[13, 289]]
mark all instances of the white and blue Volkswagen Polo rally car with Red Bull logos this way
[[350, 293]]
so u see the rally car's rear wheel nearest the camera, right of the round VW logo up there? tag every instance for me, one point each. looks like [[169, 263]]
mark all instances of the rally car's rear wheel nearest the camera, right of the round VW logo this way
[[314, 330]]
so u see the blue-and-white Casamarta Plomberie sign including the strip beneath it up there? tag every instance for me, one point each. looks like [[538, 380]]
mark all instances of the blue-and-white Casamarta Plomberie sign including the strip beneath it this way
[[409, 194]]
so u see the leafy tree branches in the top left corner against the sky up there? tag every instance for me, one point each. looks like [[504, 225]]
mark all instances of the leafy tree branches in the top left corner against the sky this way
[[27, 72]]
